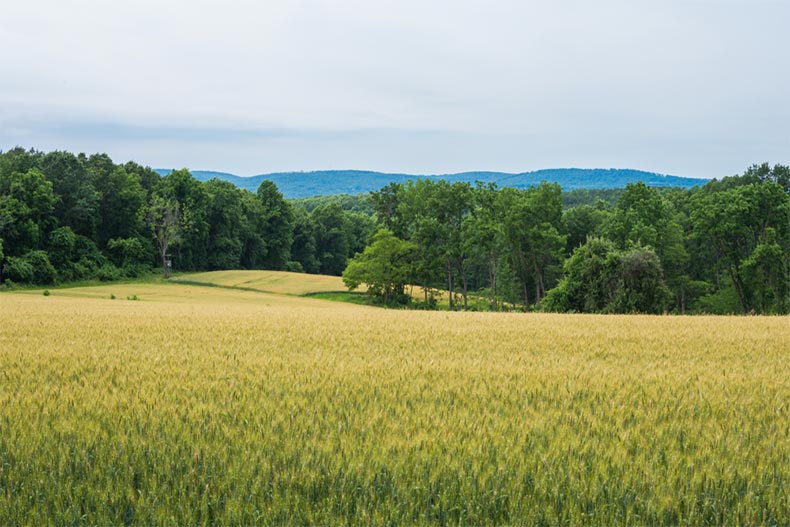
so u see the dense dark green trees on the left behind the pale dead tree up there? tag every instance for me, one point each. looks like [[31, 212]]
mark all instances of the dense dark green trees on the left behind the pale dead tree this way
[[66, 217]]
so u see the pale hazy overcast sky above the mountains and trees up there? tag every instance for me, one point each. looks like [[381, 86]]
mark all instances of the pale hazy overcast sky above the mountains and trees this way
[[685, 87]]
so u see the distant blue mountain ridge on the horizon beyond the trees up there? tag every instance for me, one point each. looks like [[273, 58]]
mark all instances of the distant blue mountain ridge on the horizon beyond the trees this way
[[329, 182]]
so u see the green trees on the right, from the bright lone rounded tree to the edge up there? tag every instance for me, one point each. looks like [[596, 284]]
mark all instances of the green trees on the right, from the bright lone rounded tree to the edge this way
[[720, 248]]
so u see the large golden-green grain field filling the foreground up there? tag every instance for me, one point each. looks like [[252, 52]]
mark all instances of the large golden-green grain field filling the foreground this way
[[210, 406]]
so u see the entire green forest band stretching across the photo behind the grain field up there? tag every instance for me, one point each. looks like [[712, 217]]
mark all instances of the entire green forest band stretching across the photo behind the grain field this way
[[720, 248]]
